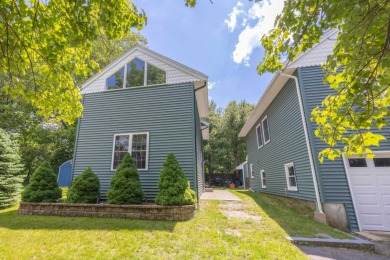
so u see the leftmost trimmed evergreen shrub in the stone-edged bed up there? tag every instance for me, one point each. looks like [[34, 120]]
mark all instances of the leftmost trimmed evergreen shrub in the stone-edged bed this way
[[43, 186]]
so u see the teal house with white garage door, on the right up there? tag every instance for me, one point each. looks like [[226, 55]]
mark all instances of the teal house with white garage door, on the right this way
[[282, 150]]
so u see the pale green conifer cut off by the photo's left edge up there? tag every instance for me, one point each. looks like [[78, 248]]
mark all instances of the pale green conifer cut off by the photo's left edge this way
[[10, 168]]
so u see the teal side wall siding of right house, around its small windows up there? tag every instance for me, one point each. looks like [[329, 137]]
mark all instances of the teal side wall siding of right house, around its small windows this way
[[287, 145]]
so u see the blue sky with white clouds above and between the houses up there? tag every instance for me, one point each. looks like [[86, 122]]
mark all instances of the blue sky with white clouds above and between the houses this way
[[220, 39]]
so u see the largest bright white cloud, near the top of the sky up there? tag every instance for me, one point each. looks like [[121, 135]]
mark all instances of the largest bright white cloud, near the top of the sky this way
[[263, 15]]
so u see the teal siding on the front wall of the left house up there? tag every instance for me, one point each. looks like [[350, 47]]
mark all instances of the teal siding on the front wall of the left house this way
[[166, 112]]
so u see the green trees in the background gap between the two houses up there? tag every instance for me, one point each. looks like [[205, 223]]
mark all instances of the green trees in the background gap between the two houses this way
[[225, 150]]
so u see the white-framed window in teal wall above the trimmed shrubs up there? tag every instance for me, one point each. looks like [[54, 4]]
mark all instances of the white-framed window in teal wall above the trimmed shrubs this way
[[137, 144]]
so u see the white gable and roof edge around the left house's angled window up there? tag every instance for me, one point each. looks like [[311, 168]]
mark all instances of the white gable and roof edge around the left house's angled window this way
[[175, 73]]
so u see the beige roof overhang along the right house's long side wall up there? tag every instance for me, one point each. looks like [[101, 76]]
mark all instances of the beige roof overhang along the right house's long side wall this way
[[268, 96]]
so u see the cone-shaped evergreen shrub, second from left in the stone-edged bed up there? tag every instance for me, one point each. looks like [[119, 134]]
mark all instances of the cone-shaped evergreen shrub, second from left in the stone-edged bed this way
[[85, 188]]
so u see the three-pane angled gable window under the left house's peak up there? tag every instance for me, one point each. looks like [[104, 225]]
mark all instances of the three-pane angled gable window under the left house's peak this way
[[135, 74]]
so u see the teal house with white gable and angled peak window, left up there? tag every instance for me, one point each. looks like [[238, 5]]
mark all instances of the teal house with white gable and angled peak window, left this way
[[148, 105]]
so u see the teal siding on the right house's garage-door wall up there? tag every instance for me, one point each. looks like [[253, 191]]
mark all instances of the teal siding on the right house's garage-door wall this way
[[332, 178]]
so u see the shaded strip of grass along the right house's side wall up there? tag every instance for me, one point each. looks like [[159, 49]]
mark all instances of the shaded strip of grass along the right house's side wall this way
[[294, 216]]
